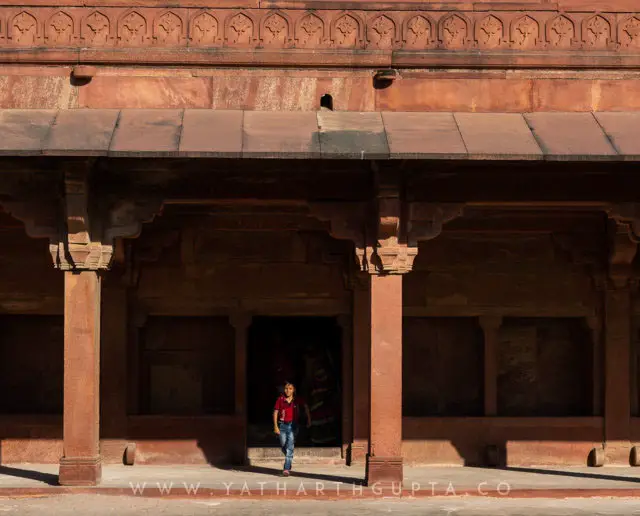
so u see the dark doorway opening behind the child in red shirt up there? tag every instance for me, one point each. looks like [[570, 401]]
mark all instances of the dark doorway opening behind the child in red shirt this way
[[307, 352]]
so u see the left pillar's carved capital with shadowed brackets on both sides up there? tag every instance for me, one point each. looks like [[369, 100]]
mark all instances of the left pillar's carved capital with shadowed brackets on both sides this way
[[82, 227]]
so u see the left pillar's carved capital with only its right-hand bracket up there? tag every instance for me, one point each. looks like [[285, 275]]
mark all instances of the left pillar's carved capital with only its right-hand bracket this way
[[92, 224]]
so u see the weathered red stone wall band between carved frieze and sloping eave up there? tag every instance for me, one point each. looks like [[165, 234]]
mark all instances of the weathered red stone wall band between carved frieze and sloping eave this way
[[25, 87]]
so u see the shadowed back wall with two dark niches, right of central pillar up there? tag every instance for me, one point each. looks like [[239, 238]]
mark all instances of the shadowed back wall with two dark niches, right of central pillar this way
[[544, 351]]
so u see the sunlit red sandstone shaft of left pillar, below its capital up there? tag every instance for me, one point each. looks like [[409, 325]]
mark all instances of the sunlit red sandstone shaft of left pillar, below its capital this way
[[80, 464]]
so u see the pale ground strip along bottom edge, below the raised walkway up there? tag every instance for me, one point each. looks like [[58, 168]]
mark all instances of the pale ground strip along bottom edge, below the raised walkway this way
[[100, 505]]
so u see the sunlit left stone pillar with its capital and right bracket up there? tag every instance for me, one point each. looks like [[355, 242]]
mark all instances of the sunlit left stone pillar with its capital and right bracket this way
[[82, 246]]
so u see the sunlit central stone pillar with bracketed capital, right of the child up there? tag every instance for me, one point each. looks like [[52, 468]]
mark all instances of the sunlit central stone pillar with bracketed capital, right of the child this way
[[386, 233]]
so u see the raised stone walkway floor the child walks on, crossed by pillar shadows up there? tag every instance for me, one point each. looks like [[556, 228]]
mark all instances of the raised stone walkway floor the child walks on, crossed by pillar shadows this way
[[329, 481]]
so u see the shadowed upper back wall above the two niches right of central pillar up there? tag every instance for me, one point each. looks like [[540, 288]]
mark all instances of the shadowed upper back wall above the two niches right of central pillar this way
[[492, 274]]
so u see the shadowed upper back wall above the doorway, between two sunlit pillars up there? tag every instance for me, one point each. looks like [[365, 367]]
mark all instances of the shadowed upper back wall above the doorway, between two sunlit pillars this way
[[264, 272]]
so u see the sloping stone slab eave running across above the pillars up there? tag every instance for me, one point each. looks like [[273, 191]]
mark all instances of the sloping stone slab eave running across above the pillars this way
[[203, 133]]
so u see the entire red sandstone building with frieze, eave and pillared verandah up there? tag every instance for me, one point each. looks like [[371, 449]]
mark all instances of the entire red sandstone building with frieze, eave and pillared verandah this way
[[424, 213]]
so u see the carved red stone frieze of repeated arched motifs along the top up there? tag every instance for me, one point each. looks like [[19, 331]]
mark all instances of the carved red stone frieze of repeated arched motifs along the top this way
[[387, 30]]
